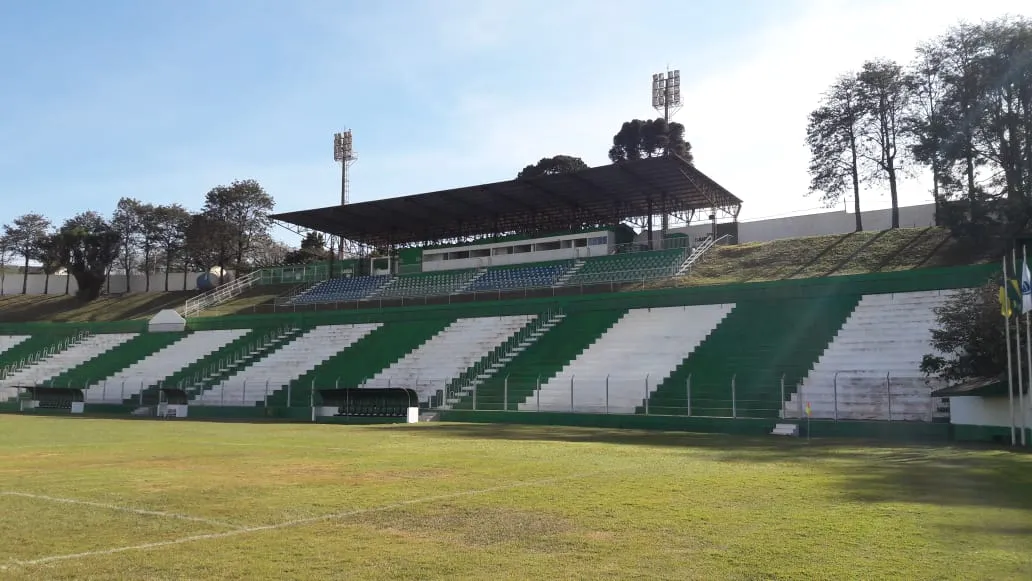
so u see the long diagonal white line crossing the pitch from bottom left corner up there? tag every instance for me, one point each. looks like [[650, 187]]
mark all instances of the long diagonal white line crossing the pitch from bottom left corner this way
[[311, 521]]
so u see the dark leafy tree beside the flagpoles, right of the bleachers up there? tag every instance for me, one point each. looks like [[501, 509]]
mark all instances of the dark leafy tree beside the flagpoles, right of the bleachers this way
[[970, 342]]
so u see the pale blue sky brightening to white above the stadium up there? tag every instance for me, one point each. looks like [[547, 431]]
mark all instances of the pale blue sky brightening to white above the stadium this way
[[163, 100]]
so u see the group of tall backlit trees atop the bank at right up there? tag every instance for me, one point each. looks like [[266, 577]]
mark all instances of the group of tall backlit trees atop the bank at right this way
[[960, 112]]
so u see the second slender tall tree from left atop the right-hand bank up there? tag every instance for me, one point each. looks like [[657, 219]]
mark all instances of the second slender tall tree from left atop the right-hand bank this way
[[885, 99]]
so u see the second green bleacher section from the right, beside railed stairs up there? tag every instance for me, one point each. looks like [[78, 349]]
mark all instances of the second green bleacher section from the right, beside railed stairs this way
[[542, 360]]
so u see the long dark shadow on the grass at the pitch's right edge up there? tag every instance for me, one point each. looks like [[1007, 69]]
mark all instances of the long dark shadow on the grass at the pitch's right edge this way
[[870, 471]]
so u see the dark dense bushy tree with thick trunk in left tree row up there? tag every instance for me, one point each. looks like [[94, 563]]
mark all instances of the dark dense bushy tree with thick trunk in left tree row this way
[[88, 248]]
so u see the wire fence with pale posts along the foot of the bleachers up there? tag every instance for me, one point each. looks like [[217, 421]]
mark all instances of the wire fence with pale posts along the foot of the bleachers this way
[[847, 397]]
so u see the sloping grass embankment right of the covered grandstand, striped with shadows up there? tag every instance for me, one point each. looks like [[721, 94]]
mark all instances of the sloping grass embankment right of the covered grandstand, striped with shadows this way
[[856, 253]]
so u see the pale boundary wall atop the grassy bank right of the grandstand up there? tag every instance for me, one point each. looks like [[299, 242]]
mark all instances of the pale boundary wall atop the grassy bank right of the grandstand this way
[[820, 224]]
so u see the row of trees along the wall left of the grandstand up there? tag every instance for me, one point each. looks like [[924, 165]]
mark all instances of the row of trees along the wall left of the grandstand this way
[[232, 232]]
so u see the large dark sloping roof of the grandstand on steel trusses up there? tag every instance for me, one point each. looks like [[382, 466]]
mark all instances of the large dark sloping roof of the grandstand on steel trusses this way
[[608, 195]]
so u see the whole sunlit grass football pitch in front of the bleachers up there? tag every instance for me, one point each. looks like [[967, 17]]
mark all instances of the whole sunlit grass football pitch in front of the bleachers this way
[[90, 499]]
